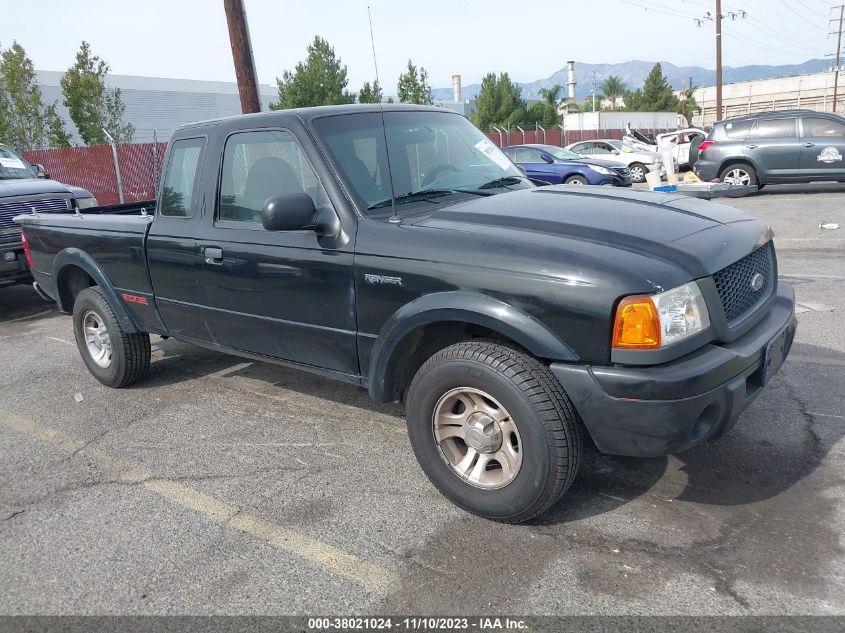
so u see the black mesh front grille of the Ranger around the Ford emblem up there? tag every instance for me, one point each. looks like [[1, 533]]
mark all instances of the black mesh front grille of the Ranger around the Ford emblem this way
[[734, 283]]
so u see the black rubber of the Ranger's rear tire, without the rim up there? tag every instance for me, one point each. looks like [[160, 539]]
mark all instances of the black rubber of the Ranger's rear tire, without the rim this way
[[130, 353]]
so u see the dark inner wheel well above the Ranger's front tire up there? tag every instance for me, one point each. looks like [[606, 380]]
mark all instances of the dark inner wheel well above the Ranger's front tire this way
[[421, 343]]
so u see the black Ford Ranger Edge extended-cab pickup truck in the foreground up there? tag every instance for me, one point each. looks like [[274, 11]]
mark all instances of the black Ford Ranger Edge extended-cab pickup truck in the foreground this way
[[401, 251]]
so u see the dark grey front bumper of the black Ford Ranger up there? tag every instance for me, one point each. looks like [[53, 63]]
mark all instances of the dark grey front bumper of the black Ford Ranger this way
[[652, 411]]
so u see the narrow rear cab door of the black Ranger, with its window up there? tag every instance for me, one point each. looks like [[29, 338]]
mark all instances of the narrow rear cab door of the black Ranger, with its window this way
[[173, 256]]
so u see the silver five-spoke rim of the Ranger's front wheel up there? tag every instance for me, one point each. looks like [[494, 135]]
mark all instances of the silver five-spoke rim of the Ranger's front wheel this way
[[477, 438]]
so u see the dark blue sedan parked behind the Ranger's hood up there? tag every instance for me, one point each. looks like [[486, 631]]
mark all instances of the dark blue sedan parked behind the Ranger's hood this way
[[557, 165]]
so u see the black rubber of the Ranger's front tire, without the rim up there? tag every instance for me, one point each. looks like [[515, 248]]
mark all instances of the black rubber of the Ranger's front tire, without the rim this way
[[548, 426]]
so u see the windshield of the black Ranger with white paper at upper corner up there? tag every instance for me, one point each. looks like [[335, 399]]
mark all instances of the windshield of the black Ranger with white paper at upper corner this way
[[432, 155]]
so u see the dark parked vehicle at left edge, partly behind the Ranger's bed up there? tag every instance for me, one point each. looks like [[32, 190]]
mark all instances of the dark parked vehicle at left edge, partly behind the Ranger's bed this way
[[24, 187]]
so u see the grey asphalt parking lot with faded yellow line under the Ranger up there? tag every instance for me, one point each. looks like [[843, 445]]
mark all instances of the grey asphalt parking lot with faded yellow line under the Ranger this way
[[227, 486]]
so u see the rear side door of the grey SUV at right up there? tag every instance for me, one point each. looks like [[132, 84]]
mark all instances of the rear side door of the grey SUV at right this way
[[773, 144]]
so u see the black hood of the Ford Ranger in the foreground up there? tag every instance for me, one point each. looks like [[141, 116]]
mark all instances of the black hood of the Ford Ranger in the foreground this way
[[697, 236]]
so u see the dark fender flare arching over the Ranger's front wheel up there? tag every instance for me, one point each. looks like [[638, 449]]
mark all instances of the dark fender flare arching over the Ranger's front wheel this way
[[462, 307]]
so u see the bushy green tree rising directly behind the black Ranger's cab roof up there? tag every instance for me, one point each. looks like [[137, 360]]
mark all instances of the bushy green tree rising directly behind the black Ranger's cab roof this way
[[319, 80]]
